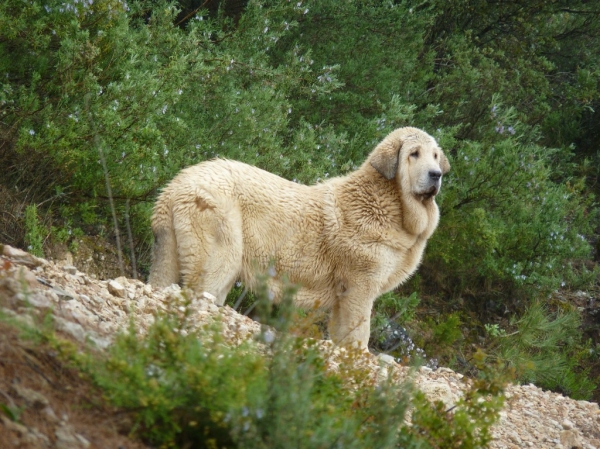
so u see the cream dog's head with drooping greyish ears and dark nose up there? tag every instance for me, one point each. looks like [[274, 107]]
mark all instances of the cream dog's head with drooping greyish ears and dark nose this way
[[414, 159]]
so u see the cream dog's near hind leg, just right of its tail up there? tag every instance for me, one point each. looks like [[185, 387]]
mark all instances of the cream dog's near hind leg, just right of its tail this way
[[210, 245]]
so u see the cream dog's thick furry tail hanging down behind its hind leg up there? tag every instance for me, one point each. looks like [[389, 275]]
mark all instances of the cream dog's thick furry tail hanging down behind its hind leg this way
[[165, 261]]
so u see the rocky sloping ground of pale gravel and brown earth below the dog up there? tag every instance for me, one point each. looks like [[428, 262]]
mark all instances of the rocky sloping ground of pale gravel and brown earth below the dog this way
[[49, 399]]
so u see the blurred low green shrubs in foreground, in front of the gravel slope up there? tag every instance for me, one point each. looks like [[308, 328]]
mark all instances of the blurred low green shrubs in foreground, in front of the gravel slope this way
[[180, 386]]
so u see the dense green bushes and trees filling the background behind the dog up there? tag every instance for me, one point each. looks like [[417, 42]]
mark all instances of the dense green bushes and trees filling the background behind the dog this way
[[107, 99]]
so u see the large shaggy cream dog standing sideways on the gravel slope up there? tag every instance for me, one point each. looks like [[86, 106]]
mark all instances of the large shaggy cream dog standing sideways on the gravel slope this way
[[344, 242]]
